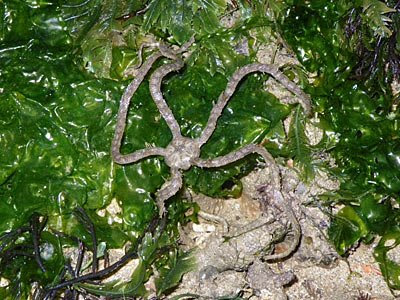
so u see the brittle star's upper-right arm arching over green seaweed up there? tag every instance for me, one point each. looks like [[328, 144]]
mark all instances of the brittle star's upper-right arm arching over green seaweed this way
[[224, 97]]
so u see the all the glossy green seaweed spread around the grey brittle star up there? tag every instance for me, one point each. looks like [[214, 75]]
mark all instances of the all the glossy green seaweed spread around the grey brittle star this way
[[66, 64]]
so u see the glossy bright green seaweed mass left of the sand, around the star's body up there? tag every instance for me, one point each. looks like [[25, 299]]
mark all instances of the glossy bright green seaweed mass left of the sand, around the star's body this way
[[58, 102]]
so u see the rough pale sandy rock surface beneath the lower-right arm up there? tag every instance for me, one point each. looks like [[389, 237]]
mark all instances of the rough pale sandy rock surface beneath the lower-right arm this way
[[228, 267]]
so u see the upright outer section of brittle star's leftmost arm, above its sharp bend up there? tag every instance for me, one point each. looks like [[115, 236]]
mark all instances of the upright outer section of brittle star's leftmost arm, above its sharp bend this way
[[124, 105]]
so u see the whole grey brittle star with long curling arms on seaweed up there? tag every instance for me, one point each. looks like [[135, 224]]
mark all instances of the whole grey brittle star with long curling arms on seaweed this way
[[182, 153]]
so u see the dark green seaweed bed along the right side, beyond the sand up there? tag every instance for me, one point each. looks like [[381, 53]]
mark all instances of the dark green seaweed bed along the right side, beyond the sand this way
[[362, 116]]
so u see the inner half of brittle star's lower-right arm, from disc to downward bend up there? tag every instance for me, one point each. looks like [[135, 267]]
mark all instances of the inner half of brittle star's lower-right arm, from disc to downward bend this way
[[239, 154]]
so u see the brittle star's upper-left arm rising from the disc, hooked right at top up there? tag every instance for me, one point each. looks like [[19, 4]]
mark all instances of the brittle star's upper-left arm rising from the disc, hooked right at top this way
[[155, 90]]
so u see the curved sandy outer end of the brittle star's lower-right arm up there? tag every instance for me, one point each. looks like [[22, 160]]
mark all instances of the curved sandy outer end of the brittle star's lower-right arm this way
[[287, 207]]
